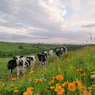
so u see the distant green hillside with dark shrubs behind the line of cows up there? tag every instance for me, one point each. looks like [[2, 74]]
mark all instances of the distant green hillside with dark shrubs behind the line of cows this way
[[8, 49]]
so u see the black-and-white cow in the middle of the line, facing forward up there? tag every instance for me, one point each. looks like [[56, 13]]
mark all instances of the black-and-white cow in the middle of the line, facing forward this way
[[43, 58]]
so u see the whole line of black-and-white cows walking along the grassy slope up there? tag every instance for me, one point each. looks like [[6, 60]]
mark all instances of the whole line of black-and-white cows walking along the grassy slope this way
[[22, 63]]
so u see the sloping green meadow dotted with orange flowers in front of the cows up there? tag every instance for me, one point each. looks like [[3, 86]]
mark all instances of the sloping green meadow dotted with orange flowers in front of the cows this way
[[72, 74]]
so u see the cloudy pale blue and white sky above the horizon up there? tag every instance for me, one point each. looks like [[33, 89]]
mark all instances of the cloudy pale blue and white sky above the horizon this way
[[47, 21]]
